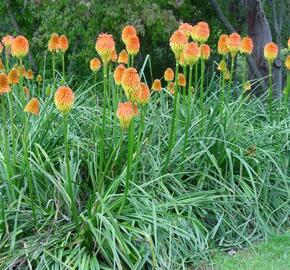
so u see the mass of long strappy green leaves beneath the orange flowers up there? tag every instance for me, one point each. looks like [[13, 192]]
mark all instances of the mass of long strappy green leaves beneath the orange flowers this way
[[228, 187]]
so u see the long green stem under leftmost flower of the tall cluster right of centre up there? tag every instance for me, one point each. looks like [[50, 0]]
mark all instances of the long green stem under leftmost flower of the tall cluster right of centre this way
[[173, 119]]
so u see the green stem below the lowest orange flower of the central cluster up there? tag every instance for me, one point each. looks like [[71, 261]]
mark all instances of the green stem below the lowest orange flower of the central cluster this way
[[129, 164]]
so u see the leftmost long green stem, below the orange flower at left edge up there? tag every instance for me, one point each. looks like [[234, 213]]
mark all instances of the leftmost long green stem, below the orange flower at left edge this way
[[6, 152]]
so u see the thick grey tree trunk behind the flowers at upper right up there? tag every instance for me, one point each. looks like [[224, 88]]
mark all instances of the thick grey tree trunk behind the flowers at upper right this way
[[259, 30]]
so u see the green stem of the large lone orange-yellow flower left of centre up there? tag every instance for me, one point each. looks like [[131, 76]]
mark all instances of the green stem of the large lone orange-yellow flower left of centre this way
[[70, 188]]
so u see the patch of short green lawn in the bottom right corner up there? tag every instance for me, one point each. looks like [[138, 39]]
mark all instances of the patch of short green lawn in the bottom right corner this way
[[273, 254]]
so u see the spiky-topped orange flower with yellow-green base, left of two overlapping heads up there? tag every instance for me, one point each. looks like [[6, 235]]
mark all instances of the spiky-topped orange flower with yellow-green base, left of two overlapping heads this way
[[105, 46]]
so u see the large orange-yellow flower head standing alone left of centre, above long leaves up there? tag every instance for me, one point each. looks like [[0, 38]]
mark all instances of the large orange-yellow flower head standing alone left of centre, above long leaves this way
[[64, 99]]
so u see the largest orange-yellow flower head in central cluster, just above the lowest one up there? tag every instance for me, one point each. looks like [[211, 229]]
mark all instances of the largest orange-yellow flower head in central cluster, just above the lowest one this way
[[131, 83]]
